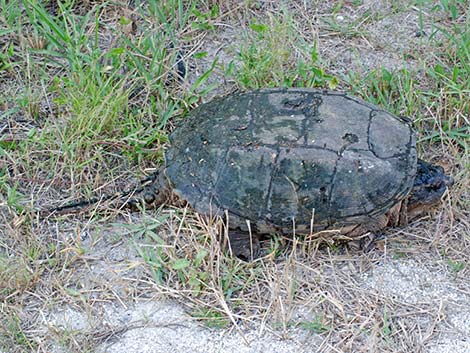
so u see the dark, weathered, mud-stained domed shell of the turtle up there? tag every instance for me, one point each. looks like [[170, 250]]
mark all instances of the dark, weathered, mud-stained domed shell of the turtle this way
[[284, 157]]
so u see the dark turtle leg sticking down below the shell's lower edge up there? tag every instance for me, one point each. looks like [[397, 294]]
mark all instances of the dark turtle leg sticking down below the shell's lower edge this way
[[244, 245]]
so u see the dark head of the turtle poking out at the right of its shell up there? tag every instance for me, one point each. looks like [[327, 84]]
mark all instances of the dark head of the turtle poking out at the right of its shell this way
[[430, 184]]
